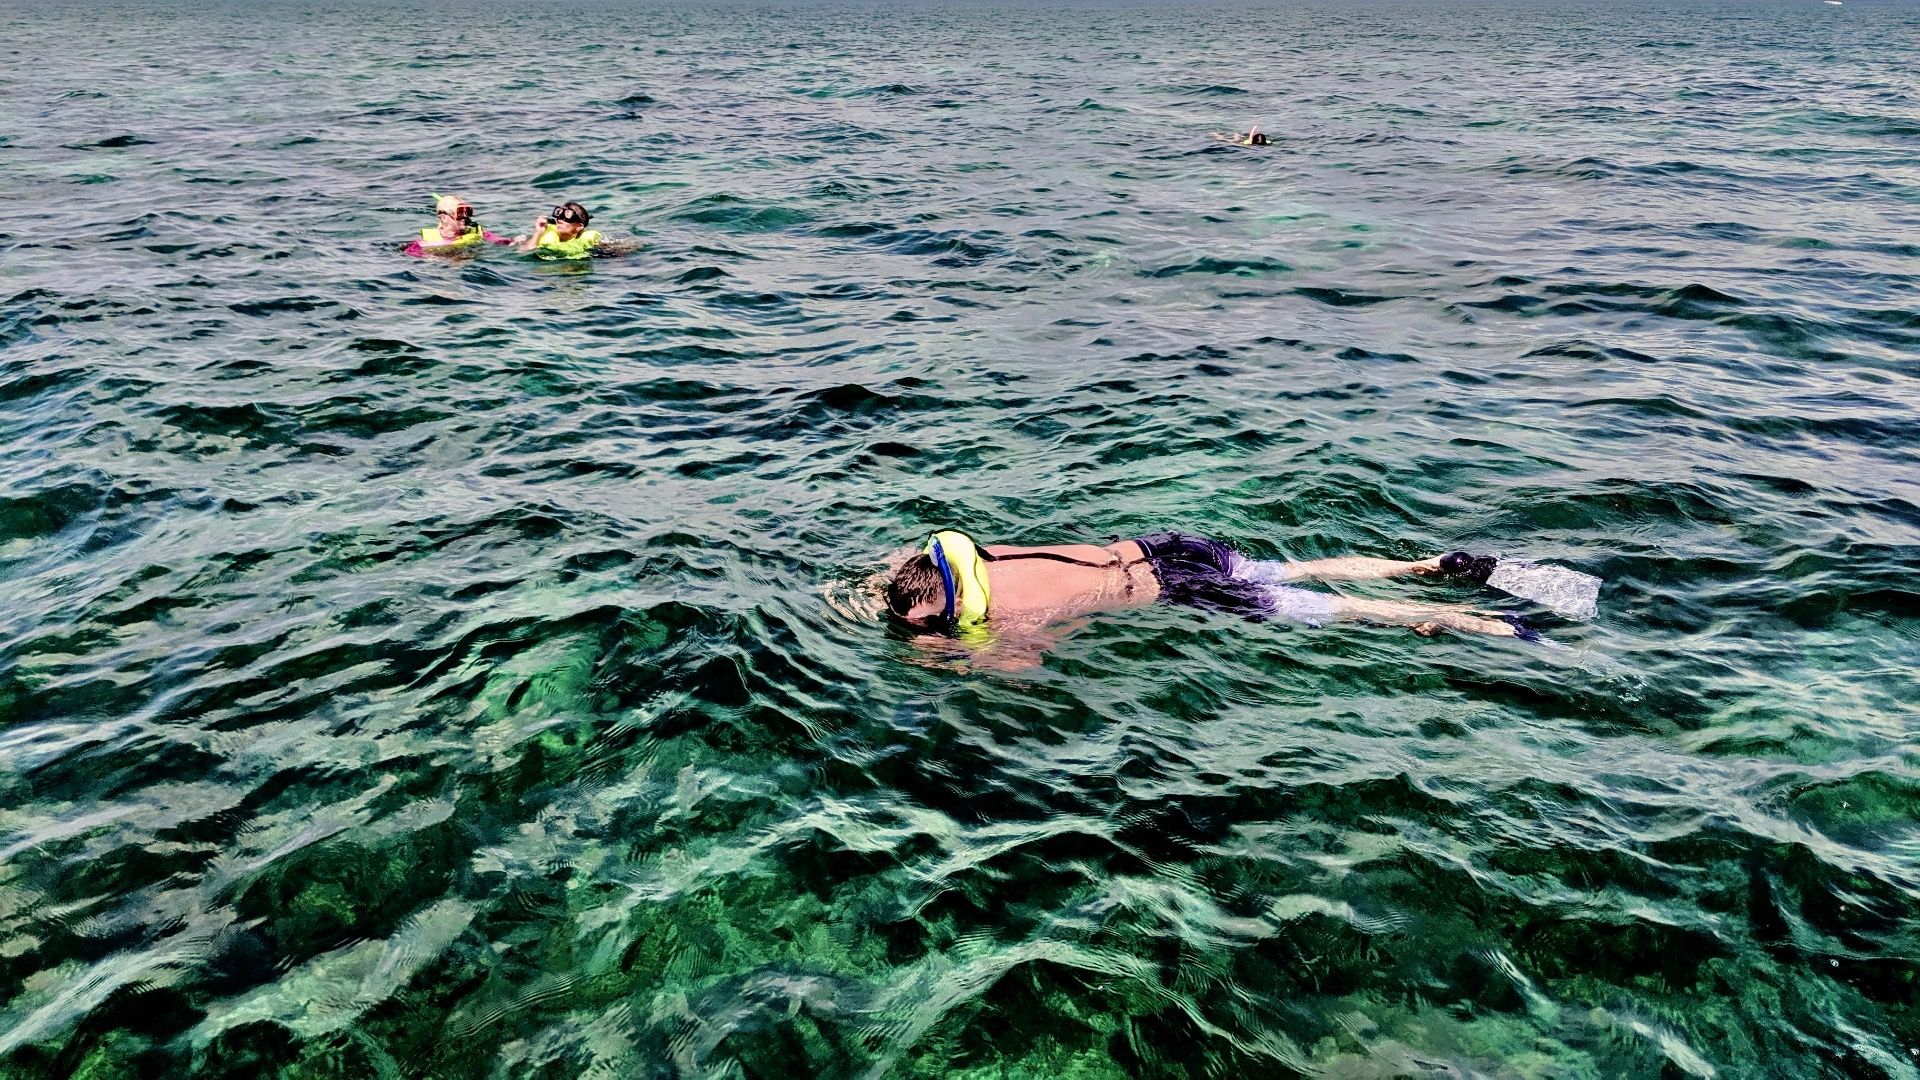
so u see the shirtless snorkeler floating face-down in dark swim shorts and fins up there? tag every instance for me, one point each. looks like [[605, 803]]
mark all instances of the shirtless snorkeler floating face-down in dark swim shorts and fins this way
[[957, 587]]
